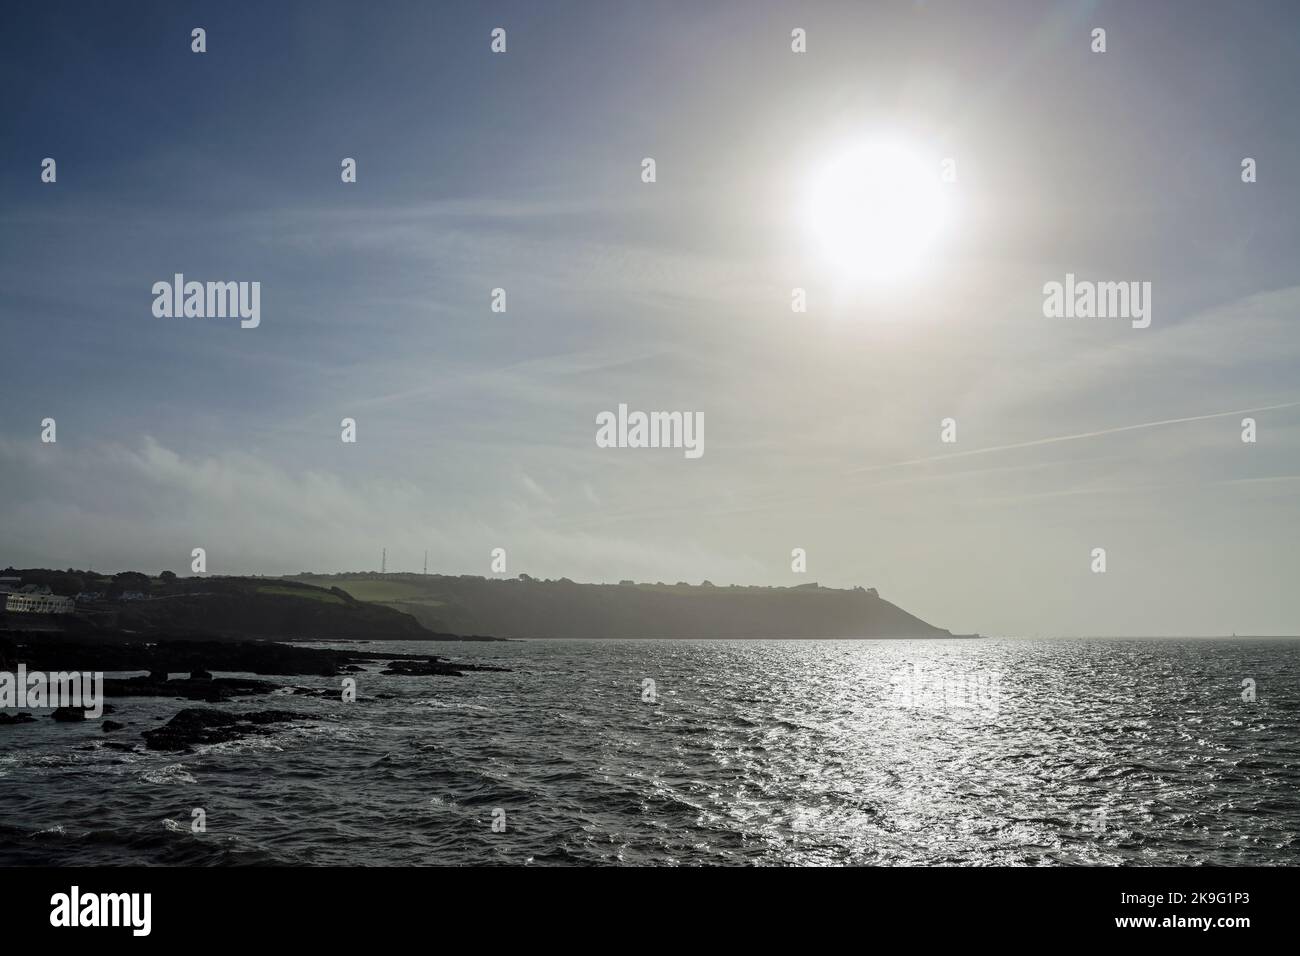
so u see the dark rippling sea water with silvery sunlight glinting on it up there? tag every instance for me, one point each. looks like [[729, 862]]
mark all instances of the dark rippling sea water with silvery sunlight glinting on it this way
[[1073, 752]]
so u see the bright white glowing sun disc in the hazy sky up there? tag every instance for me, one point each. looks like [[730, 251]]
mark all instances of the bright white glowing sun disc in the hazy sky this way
[[876, 211]]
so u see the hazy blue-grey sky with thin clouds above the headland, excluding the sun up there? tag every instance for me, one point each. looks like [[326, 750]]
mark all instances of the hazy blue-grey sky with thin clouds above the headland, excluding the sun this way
[[523, 171]]
